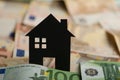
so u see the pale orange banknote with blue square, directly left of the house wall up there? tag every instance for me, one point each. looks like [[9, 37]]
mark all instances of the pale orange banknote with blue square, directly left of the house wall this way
[[21, 41]]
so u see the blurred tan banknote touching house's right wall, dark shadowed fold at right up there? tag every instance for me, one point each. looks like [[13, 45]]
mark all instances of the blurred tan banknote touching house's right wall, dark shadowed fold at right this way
[[94, 41]]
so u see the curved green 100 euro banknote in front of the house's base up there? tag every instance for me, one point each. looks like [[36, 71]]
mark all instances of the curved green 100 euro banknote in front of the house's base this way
[[35, 72]]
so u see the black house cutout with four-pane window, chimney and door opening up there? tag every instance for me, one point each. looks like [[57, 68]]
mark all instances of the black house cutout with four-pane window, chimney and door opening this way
[[50, 38]]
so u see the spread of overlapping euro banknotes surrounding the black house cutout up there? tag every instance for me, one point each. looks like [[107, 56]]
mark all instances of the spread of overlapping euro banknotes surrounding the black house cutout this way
[[95, 49]]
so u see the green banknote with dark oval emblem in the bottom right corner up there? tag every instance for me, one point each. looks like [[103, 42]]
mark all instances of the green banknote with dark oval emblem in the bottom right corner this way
[[100, 70]]
